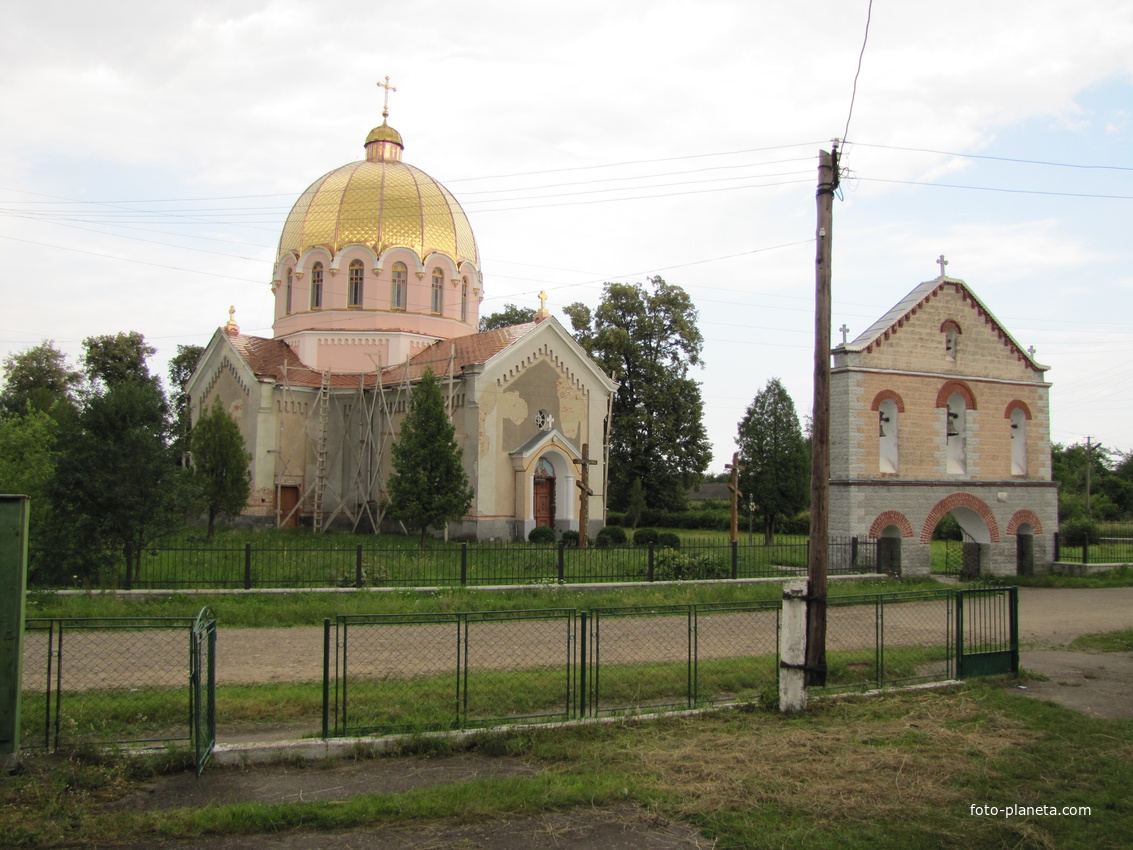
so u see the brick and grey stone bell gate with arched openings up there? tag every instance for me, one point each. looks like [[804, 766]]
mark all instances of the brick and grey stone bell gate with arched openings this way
[[936, 410]]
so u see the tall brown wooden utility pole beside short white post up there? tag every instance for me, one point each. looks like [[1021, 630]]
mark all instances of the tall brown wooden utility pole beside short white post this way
[[821, 433]]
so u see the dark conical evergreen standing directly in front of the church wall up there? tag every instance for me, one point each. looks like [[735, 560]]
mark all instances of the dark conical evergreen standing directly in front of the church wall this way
[[429, 486]]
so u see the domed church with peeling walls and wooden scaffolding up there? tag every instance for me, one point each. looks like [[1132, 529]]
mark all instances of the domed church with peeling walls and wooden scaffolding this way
[[378, 278]]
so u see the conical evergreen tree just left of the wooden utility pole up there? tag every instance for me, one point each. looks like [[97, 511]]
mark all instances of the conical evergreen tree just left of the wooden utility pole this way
[[774, 453]]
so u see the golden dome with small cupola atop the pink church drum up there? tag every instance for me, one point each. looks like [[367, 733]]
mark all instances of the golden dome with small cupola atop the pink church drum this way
[[380, 202]]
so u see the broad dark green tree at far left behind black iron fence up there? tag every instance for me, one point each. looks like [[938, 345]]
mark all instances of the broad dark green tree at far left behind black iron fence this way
[[116, 482]]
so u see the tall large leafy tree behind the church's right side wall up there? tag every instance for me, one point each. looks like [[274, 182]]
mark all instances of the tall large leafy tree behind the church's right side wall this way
[[649, 341]]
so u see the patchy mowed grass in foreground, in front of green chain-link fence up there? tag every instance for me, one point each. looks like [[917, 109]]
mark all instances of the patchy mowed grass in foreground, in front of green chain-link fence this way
[[899, 771]]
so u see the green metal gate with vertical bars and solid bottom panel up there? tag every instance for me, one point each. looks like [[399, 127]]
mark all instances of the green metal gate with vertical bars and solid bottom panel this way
[[987, 632]]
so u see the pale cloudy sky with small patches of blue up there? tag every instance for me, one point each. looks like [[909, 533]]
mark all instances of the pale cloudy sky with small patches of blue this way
[[155, 149]]
